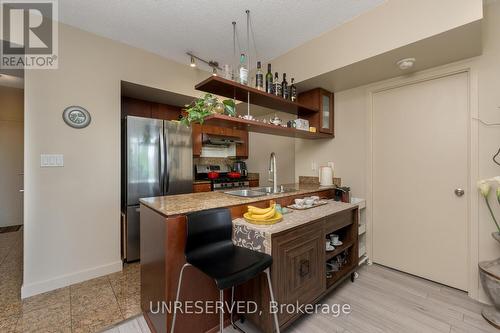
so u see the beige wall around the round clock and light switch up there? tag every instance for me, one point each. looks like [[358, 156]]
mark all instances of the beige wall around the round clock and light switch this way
[[72, 214]]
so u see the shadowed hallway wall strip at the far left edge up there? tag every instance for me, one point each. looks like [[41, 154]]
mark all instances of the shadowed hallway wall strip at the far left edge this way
[[11, 155]]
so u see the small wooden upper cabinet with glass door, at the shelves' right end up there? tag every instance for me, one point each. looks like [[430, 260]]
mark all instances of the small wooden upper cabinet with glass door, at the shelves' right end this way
[[321, 99]]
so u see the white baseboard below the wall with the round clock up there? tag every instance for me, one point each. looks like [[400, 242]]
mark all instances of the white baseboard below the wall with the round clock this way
[[28, 290]]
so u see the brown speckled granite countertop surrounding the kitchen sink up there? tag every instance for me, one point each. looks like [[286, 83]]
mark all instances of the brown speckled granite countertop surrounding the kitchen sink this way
[[192, 202]]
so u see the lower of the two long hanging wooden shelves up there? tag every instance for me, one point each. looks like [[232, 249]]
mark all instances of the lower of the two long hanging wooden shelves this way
[[259, 127]]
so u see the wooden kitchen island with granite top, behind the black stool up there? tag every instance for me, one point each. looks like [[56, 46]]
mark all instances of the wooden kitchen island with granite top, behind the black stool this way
[[297, 245]]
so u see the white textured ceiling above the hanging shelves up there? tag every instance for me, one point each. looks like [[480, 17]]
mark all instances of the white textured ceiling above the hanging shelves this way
[[170, 28]]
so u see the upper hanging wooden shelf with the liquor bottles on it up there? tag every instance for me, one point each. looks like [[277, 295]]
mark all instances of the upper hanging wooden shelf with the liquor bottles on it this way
[[230, 89]]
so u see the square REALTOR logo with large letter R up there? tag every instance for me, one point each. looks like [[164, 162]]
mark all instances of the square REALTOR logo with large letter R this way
[[29, 34]]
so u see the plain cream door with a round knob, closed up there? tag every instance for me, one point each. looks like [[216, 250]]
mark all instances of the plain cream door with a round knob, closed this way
[[420, 153]]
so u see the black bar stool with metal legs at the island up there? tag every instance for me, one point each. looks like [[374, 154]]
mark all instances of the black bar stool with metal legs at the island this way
[[209, 247]]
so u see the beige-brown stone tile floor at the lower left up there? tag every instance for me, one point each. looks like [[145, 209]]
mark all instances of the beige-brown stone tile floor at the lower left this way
[[90, 306]]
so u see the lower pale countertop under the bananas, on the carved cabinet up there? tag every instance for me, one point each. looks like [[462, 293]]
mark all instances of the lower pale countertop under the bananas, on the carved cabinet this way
[[297, 217]]
